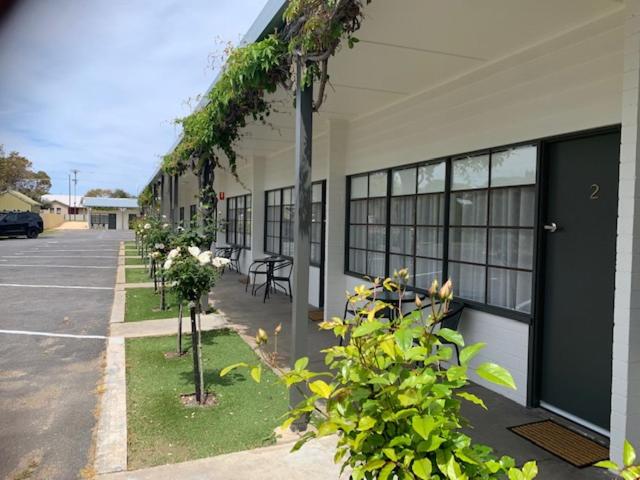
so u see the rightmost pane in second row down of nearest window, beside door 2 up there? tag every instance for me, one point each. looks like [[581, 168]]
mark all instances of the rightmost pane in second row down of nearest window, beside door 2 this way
[[513, 207]]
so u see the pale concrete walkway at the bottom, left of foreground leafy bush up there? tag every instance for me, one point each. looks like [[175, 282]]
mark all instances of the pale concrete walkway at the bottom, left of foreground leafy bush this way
[[314, 461]]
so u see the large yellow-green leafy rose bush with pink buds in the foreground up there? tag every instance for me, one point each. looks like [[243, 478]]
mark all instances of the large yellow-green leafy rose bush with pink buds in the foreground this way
[[391, 396]]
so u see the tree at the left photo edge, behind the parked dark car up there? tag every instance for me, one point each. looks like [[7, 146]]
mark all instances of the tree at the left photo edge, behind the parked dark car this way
[[16, 173]]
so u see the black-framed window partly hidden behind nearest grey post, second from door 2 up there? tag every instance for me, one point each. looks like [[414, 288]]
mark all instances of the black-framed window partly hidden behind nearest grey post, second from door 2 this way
[[279, 222]]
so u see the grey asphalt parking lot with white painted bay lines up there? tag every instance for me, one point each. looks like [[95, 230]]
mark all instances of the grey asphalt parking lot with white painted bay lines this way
[[55, 300]]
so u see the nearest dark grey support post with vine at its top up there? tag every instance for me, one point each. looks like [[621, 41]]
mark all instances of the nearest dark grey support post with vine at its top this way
[[302, 224]]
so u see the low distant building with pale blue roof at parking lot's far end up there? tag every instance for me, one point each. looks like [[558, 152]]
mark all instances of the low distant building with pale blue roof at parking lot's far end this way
[[111, 213]]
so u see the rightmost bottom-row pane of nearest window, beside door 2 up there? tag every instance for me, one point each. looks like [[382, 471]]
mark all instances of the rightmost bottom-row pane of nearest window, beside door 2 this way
[[510, 289]]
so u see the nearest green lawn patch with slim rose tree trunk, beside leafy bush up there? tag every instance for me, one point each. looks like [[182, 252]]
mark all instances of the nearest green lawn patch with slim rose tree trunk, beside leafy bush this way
[[161, 430]]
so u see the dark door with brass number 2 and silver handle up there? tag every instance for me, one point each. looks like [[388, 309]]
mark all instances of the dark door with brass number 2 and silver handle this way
[[579, 268]]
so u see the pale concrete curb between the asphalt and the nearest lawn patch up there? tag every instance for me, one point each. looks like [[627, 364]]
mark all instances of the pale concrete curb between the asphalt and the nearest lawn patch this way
[[111, 434]]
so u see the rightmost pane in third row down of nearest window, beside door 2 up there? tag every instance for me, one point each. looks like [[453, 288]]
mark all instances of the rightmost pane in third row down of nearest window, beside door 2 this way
[[511, 248]]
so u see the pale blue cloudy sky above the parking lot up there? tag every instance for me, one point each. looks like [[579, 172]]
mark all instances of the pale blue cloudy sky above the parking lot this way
[[95, 85]]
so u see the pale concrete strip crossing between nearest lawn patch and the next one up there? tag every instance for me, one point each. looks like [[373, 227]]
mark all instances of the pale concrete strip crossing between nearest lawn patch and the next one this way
[[166, 326]]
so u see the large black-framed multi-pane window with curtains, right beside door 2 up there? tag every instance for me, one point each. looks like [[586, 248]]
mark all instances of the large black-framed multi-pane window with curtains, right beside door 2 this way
[[489, 225]]
